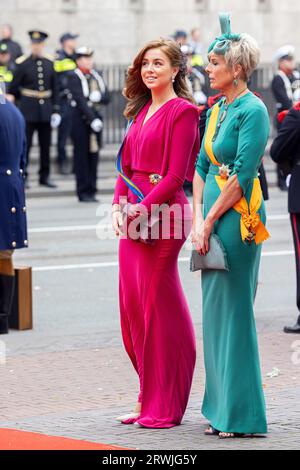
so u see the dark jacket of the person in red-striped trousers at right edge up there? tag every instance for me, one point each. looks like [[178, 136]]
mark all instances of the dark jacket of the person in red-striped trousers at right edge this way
[[286, 149]]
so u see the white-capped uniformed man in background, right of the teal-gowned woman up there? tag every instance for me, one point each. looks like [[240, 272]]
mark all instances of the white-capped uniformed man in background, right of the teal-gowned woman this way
[[286, 89]]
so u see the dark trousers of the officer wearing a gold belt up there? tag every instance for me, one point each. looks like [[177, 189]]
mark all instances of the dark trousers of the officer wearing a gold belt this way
[[44, 135]]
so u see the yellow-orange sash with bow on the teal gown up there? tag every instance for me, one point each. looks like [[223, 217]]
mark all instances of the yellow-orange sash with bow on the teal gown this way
[[251, 225]]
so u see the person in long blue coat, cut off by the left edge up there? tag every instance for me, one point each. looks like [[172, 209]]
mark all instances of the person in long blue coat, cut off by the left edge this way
[[13, 230]]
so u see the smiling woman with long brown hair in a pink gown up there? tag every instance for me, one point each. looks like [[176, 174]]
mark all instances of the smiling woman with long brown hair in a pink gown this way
[[155, 320]]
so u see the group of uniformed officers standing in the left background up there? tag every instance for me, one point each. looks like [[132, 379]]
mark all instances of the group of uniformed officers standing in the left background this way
[[63, 92]]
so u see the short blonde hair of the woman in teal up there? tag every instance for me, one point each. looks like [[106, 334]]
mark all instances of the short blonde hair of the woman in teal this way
[[245, 53]]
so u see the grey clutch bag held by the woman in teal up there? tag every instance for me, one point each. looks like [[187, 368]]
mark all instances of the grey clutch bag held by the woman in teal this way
[[216, 258]]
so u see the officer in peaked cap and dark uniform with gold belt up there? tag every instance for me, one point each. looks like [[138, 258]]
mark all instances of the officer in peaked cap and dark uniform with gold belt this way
[[35, 86]]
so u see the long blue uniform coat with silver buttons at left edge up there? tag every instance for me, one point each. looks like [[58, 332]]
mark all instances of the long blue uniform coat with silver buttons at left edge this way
[[13, 231]]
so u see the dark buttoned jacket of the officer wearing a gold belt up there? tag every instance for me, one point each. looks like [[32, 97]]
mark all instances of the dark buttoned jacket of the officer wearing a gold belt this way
[[36, 73]]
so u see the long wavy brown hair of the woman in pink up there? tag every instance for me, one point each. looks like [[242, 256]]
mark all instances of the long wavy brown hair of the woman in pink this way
[[135, 90]]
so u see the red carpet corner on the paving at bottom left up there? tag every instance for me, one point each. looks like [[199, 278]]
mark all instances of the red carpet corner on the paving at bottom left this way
[[13, 439]]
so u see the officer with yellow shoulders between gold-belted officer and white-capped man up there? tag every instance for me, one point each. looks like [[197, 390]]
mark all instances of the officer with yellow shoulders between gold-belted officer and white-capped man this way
[[64, 64]]
